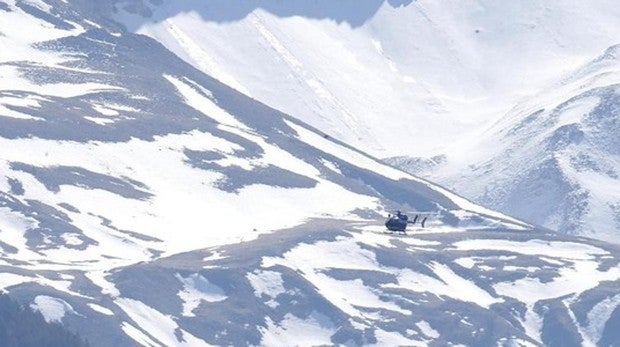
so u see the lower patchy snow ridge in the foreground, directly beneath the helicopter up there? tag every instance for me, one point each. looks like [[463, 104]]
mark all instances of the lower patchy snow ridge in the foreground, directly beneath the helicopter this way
[[332, 283]]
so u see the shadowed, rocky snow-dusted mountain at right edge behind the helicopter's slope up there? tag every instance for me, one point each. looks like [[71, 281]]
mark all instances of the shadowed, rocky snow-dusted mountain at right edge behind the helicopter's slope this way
[[554, 159]]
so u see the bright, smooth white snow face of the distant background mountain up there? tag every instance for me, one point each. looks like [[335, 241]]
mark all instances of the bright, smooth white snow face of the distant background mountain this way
[[391, 80]]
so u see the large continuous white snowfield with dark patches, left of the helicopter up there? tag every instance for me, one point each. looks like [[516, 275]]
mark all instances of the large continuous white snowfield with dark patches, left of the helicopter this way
[[205, 207]]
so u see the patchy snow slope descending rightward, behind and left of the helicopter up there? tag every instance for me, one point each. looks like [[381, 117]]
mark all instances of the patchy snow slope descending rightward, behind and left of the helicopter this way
[[137, 135]]
